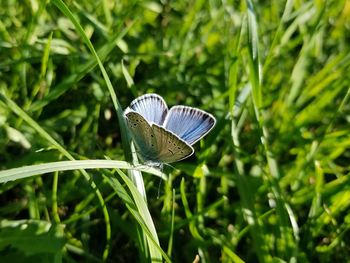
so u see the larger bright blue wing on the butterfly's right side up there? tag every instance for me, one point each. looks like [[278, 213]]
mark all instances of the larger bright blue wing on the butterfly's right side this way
[[190, 124]]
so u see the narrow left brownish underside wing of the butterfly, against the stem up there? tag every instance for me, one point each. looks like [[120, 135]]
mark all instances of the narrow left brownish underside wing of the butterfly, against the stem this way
[[142, 135]]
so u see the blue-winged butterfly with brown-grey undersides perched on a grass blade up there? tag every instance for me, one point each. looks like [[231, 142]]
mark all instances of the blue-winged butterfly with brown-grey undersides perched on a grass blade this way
[[162, 135]]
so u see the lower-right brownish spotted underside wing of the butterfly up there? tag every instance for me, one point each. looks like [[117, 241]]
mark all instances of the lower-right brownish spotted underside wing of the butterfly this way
[[170, 148]]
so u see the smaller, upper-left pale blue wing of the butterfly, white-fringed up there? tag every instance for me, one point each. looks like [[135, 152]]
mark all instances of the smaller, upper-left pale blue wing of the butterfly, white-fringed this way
[[151, 106]]
